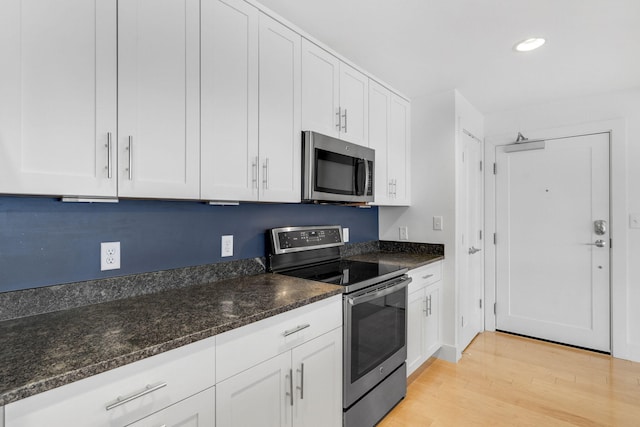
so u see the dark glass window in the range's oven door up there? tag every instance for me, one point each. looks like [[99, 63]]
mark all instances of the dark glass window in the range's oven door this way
[[378, 330]]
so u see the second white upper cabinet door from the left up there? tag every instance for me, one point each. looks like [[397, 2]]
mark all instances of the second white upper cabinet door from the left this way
[[158, 98]]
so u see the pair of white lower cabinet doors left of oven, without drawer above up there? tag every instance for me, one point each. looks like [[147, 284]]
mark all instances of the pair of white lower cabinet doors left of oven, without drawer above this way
[[297, 388]]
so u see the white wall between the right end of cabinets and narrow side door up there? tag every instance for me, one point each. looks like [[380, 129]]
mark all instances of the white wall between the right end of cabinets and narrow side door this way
[[435, 121]]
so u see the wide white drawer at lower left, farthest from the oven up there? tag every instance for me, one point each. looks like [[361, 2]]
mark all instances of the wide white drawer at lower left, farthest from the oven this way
[[171, 377]]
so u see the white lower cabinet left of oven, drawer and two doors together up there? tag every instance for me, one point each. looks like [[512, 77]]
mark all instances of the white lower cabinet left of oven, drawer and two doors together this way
[[283, 371]]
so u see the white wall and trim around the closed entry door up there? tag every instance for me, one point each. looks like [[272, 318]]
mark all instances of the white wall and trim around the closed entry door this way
[[619, 112]]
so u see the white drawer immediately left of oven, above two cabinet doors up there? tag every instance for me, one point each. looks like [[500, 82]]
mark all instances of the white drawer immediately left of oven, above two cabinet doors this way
[[245, 347]]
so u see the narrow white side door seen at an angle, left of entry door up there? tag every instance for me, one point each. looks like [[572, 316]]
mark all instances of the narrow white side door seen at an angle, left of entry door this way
[[470, 252]]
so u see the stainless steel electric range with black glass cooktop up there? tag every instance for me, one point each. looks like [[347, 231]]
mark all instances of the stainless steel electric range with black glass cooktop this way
[[374, 316]]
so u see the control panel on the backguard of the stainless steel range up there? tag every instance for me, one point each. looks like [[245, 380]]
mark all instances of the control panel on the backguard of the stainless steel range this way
[[296, 239]]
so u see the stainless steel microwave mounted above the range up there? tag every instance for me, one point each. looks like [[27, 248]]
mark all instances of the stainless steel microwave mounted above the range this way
[[336, 171]]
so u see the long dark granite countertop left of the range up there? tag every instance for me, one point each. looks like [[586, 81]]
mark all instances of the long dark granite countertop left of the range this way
[[41, 352]]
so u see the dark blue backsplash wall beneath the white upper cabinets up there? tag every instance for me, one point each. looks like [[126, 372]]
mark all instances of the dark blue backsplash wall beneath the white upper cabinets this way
[[44, 241]]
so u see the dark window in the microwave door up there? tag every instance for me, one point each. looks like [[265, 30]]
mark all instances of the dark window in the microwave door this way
[[335, 173]]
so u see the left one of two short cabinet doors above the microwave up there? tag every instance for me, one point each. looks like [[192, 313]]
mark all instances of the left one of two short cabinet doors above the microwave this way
[[320, 90]]
